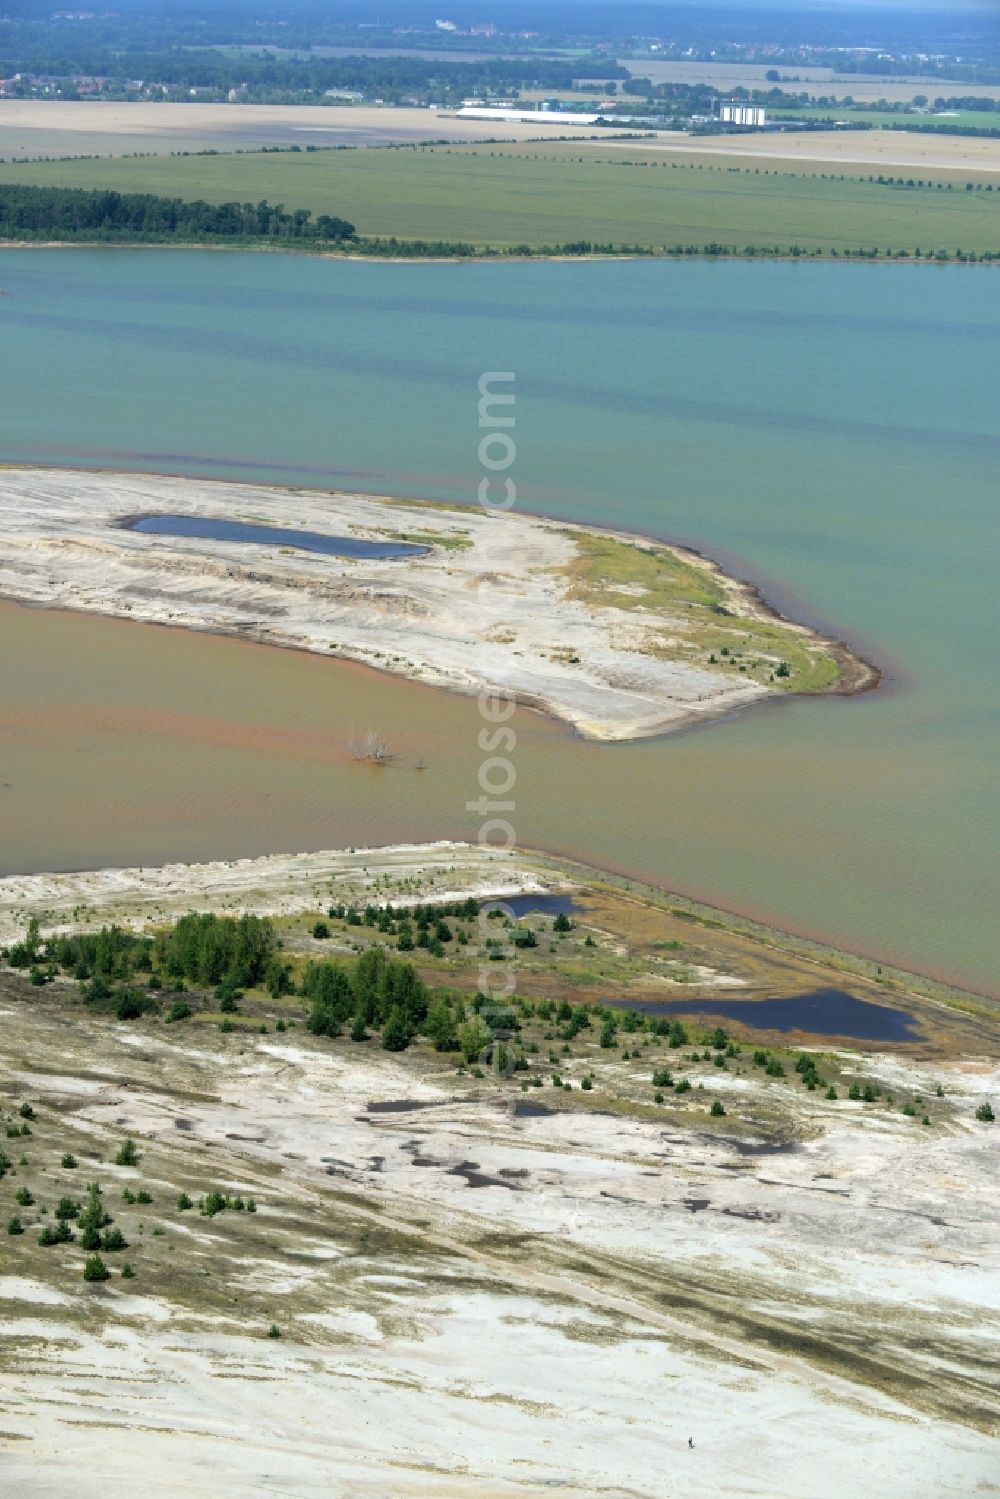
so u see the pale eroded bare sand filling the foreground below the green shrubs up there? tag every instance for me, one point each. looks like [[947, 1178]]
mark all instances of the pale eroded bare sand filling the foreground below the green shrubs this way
[[482, 1303]]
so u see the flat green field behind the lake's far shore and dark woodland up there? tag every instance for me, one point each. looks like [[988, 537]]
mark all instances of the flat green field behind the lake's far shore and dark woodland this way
[[551, 194]]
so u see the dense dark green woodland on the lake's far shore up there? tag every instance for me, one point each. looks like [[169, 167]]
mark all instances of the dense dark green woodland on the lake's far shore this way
[[86, 214]]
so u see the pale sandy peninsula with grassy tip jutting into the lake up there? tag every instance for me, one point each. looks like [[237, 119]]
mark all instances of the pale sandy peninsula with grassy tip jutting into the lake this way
[[618, 636]]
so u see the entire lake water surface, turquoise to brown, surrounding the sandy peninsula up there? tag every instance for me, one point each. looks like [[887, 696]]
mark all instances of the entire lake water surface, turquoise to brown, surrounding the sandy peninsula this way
[[830, 431]]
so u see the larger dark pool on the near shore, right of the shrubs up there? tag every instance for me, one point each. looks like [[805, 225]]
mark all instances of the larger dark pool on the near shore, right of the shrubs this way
[[824, 1013]]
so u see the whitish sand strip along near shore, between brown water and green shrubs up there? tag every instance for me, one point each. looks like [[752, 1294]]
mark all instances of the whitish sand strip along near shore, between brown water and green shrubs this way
[[274, 885]]
